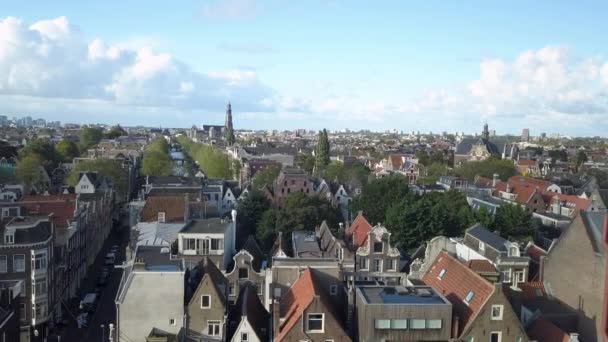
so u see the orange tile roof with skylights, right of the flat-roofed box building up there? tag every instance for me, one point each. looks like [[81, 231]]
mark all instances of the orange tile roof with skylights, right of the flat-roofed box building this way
[[456, 283]]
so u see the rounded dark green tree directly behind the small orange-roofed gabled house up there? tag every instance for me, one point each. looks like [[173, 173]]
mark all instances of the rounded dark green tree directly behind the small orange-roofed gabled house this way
[[378, 195]]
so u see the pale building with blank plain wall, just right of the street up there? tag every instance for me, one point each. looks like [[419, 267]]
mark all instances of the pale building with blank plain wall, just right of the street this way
[[152, 274]]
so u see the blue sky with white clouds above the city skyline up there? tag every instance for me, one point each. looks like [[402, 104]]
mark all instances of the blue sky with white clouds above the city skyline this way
[[286, 64]]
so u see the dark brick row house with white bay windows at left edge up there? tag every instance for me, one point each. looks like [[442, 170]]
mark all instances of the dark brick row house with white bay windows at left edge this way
[[26, 265]]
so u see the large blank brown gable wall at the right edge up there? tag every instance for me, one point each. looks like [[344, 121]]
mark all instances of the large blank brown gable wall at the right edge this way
[[574, 272]]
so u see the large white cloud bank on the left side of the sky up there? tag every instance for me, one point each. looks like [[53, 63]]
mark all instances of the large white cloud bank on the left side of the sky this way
[[50, 58]]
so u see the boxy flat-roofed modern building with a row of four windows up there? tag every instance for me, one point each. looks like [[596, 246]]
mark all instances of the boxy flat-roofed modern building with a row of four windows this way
[[399, 313]]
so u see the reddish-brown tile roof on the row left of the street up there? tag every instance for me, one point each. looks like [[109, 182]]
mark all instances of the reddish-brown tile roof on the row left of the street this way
[[61, 206]]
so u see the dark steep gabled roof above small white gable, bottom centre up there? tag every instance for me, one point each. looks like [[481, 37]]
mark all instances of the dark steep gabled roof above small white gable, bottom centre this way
[[249, 307]]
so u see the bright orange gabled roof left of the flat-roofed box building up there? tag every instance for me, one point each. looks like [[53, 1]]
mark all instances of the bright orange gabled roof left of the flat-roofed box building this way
[[297, 300]]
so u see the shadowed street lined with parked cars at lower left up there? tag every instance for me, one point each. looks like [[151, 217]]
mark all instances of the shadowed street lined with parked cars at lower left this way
[[105, 311]]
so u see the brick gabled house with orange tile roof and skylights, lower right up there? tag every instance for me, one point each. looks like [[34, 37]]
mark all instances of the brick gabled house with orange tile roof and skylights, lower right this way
[[481, 310]]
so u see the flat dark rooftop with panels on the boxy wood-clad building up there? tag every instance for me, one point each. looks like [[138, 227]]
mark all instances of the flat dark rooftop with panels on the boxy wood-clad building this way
[[402, 295]]
